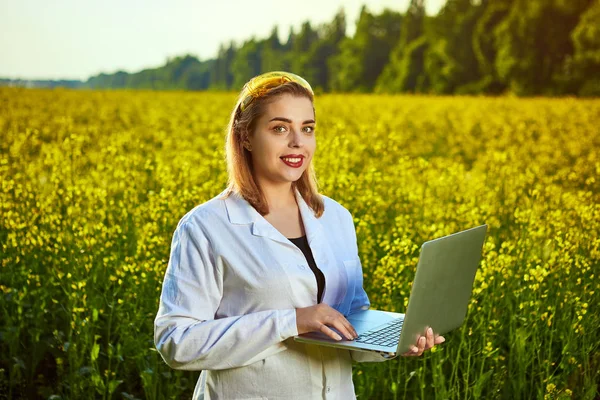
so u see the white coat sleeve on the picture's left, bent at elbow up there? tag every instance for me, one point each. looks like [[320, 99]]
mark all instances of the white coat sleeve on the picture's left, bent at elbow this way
[[185, 332]]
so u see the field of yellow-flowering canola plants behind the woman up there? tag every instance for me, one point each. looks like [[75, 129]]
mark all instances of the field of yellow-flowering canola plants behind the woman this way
[[93, 184]]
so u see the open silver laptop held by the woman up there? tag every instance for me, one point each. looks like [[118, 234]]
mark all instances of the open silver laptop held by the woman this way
[[439, 298]]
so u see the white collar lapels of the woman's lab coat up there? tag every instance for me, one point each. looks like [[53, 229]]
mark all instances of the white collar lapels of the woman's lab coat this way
[[242, 212]]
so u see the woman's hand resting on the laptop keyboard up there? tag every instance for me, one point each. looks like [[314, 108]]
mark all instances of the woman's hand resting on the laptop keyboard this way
[[319, 317]]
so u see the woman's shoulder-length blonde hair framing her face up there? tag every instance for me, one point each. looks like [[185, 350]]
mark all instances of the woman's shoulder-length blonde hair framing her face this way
[[239, 159]]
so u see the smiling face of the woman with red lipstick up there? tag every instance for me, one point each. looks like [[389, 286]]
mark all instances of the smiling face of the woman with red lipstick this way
[[283, 141]]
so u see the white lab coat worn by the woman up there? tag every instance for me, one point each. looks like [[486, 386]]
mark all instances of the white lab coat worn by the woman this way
[[229, 295]]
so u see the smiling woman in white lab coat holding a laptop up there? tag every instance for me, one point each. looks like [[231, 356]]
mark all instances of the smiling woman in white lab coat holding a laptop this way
[[267, 259]]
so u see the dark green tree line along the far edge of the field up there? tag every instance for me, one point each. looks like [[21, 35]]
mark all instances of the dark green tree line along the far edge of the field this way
[[526, 47]]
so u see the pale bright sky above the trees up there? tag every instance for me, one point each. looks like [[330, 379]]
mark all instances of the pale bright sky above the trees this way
[[75, 39]]
